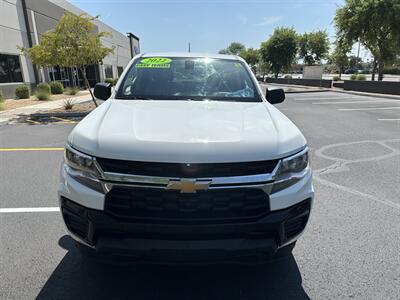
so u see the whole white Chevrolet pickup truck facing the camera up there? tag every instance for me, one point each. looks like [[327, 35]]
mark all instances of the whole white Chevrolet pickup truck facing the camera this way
[[186, 160]]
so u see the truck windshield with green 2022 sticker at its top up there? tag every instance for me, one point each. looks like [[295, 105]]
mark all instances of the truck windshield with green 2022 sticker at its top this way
[[180, 78]]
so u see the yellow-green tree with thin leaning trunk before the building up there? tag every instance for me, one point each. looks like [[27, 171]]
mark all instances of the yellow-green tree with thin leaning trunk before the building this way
[[72, 43]]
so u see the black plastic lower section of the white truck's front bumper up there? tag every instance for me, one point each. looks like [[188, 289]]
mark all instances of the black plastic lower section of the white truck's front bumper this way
[[110, 236]]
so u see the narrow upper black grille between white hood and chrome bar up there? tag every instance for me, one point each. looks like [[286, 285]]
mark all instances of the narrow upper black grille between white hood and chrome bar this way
[[180, 170]]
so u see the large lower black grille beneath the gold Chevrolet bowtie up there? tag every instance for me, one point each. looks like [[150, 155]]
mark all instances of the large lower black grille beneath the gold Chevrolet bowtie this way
[[211, 206]]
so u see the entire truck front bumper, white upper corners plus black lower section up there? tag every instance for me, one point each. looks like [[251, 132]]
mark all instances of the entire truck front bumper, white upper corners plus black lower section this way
[[89, 223]]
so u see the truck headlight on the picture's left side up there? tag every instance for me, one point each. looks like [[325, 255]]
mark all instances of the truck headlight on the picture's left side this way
[[82, 168]]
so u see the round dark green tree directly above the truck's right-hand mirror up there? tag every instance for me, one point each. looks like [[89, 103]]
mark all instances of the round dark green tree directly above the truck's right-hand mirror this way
[[279, 51]]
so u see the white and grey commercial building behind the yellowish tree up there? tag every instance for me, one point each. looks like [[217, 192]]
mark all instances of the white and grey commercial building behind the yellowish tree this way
[[18, 17]]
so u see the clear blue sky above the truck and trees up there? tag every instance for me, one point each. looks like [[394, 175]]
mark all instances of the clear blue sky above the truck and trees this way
[[210, 25]]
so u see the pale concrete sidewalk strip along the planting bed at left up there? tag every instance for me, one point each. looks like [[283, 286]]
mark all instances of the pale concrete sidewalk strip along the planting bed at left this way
[[8, 115]]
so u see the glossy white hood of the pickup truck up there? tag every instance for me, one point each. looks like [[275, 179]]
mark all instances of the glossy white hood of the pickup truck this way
[[186, 131]]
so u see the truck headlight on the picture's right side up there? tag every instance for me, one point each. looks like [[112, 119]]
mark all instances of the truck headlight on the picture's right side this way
[[291, 170]]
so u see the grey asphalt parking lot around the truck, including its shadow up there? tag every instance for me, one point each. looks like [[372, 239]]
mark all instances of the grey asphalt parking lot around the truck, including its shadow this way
[[350, 249]]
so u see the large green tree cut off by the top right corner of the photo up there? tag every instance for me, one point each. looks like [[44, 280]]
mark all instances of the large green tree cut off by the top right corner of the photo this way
[[374, 23]]
